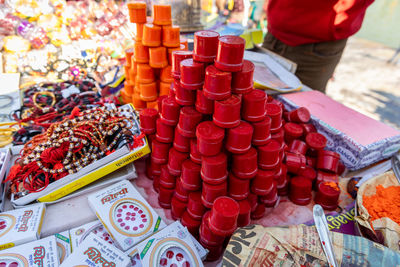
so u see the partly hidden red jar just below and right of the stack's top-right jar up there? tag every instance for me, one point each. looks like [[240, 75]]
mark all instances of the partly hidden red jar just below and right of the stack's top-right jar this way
[[242, 81]]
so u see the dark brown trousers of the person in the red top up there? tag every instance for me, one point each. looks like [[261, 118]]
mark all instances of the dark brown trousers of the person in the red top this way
[[316, 62]]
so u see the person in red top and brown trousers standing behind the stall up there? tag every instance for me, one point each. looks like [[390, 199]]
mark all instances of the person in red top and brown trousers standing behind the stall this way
[[313, 34]]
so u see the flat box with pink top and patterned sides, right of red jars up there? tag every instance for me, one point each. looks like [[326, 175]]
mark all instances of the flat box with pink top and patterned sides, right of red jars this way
[[360, 140]]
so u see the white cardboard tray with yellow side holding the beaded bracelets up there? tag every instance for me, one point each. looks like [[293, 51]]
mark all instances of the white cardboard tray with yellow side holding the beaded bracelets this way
[[88, 174]]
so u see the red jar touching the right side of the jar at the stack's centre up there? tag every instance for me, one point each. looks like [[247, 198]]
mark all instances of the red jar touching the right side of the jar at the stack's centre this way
[[239, 138]]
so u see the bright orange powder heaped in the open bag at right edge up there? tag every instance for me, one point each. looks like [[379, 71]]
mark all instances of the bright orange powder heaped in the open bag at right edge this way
[[385, 203]]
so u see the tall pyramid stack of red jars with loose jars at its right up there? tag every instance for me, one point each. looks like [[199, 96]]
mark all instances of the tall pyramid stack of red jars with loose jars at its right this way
[[219, 146]]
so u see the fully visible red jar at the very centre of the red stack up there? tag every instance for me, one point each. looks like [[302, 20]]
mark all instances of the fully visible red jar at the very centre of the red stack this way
[[209, 138]]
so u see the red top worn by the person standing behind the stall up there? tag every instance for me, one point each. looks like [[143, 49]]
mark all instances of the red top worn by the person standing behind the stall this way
[[296, 22]]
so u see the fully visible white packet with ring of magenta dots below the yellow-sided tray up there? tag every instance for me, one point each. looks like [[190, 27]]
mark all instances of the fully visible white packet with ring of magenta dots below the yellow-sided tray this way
[[125, 213]]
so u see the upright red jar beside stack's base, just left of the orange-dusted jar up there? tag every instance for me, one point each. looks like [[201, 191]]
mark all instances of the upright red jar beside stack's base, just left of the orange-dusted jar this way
[[300, 190]]
